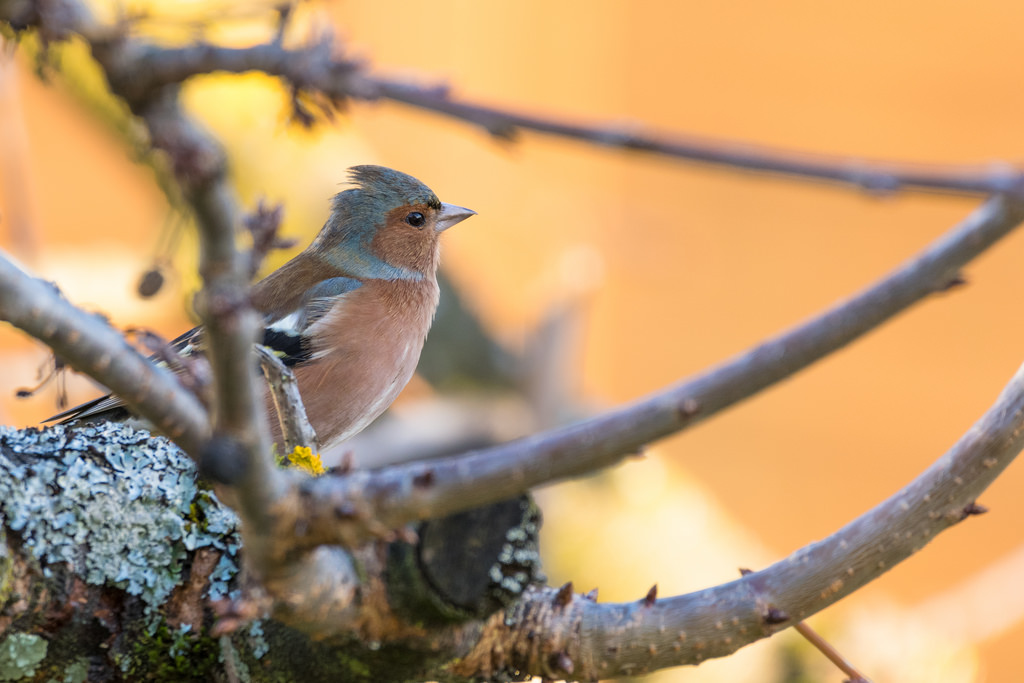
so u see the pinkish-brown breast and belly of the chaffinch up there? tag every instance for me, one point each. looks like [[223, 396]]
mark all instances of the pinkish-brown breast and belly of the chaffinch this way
[[368, 351]]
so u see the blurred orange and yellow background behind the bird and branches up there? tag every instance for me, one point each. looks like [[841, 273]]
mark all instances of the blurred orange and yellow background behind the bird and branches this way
[[675, 266]]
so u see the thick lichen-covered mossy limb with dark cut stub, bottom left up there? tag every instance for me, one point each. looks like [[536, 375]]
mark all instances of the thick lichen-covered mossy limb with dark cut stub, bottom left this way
[[116, 553]]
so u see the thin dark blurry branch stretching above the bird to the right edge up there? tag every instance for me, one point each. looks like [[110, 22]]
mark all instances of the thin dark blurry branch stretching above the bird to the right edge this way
[[316, 68]]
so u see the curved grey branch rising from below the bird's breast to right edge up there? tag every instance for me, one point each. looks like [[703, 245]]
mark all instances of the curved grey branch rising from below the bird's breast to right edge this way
[[402, 494]]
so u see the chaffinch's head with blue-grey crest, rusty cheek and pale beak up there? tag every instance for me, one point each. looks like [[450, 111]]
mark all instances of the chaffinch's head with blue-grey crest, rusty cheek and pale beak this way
[[387, 226]]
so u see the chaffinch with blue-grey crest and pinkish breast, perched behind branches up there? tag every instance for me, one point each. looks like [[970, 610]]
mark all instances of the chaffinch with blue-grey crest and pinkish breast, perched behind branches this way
[[349, 315]]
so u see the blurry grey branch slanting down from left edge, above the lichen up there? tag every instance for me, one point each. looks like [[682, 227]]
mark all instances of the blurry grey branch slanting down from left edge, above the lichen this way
[[90, 345]]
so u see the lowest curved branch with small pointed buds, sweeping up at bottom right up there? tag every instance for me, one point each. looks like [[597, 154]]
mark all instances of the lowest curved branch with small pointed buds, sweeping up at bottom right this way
[[587, 641]]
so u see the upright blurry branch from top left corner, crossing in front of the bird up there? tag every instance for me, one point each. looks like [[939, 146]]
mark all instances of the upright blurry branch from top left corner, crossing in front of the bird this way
[[239, 451]]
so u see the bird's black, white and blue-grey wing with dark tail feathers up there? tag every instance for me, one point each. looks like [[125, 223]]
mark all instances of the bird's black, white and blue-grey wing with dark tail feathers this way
[[286, 336]]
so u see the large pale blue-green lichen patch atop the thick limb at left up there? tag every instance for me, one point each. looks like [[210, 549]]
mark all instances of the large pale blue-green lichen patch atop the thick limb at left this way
[[121, 507]]
